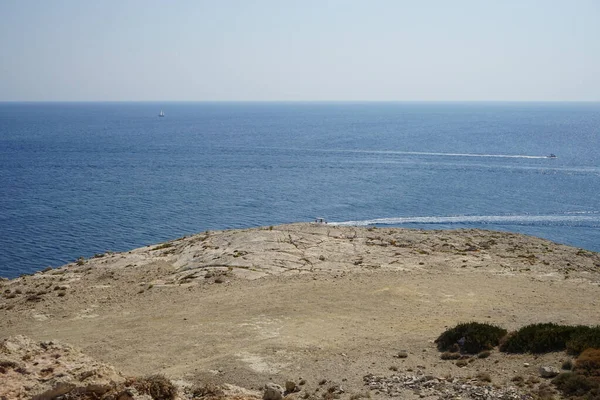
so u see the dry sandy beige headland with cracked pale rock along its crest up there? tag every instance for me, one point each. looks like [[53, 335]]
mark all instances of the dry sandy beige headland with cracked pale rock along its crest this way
[[305, 301]]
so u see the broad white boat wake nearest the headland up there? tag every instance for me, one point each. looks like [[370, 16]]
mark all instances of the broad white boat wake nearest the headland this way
[[567, 219]]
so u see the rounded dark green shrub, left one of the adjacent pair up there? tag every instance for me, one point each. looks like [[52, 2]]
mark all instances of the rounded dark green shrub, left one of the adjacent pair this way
[[477, 337]]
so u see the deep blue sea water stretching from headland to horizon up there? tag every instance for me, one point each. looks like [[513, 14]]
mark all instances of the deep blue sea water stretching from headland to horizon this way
[[81, 178]]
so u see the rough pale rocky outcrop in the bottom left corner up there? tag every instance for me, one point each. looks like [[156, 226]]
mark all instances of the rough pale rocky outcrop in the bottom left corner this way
[[52, 370]]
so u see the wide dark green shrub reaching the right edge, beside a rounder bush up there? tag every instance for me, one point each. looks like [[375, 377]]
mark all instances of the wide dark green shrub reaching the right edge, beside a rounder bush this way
[[547, 337]]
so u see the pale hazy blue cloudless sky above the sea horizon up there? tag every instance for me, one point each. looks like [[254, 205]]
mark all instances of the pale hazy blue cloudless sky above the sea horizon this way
[[300, 50]]
